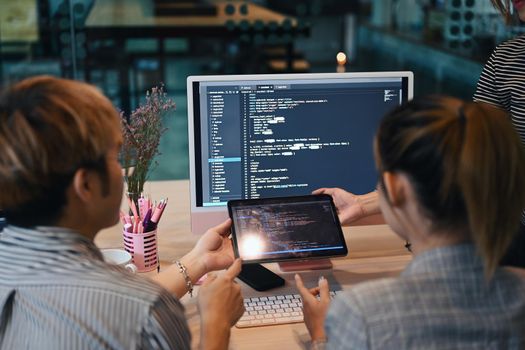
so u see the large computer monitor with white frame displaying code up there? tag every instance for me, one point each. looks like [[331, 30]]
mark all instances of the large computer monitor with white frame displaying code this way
[[257, 136]]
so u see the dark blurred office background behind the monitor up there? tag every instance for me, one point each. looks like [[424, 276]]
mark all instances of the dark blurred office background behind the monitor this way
[[443, 42]]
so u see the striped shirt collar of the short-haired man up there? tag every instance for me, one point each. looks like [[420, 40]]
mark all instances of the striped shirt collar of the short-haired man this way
[[44, 239]]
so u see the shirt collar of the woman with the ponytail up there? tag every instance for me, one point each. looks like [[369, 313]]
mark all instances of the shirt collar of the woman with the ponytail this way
[[445, 259]]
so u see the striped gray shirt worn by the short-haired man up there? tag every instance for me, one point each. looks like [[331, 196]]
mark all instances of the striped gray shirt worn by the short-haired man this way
[[56, 292]]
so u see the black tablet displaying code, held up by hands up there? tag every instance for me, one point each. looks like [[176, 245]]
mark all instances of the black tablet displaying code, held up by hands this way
[[286, 228]]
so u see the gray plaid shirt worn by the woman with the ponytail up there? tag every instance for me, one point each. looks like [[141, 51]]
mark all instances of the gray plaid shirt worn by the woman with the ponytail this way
[[441, 301]]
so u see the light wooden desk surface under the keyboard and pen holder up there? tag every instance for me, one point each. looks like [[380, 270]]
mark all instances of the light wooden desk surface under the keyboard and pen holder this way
[[374, 252]]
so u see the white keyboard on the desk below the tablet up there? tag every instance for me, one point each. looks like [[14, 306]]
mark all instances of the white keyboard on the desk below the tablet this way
[[272, 310]]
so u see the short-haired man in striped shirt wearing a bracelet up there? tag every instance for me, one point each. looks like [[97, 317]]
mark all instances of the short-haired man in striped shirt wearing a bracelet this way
[[61, 183]]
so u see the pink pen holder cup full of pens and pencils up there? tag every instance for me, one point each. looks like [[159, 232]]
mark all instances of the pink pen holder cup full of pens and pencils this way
[[143, 249]]
